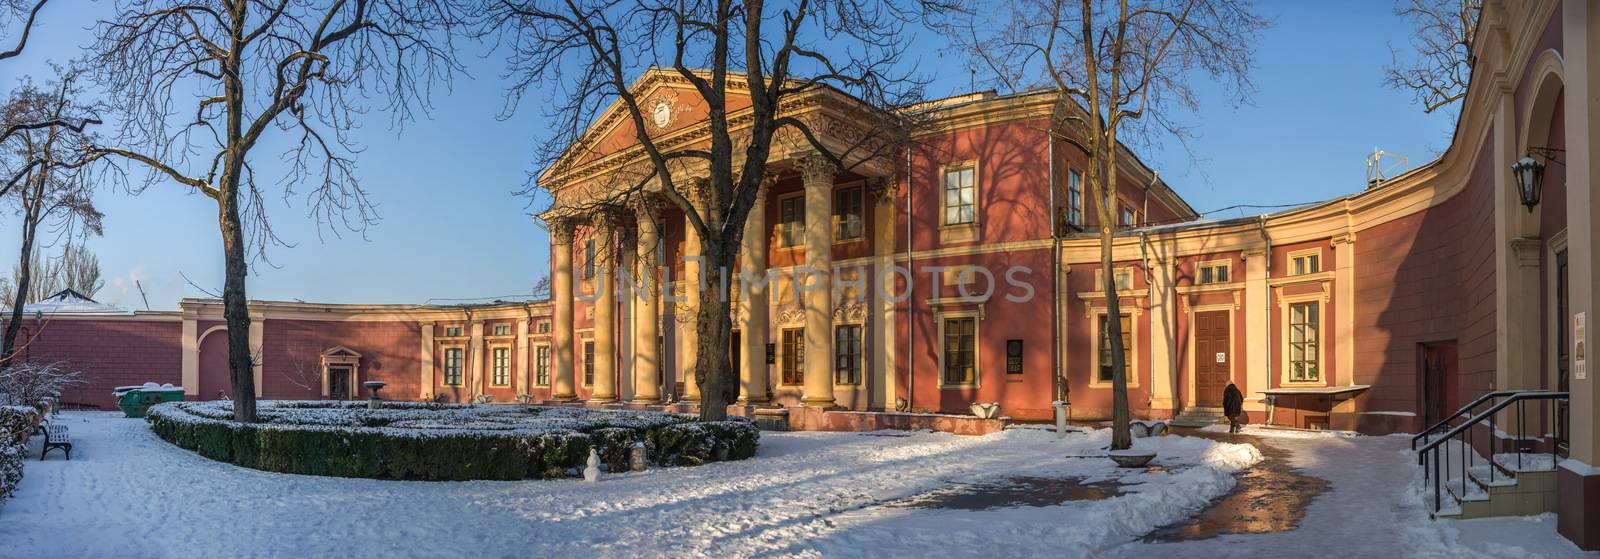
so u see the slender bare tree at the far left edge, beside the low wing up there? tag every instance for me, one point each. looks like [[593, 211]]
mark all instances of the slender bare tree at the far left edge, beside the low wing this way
[[57, 193]]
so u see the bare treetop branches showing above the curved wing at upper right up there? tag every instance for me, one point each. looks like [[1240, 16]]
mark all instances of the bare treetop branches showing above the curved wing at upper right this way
[[1444, 52]]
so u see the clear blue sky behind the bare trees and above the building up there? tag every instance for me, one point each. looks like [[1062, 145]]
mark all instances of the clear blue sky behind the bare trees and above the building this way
[[454, 230]]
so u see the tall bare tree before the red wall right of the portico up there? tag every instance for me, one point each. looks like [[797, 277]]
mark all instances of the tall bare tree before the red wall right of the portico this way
[[1122, 70]]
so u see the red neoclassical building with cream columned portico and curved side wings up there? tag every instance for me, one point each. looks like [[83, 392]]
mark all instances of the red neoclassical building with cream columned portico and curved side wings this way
[[969, 271]]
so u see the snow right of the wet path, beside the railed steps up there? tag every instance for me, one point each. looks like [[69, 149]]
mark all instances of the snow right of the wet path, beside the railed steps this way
[[1374, 509]]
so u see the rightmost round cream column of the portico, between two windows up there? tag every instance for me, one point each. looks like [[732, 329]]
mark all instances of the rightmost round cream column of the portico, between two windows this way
[[818, 175]]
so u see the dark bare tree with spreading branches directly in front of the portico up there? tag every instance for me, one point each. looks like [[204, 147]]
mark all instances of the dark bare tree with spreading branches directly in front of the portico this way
[[590, 52]]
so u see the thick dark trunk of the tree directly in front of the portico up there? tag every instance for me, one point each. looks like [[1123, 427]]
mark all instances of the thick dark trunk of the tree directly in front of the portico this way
[[714, 372]]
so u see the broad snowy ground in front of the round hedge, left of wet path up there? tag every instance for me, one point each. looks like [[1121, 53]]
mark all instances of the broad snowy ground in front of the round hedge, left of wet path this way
[[807, 494]]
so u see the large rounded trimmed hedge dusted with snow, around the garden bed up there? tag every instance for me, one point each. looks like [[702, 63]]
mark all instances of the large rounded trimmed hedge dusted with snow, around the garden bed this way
[[442, 441]]
